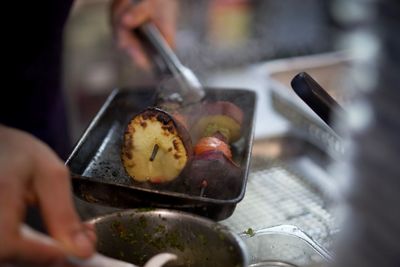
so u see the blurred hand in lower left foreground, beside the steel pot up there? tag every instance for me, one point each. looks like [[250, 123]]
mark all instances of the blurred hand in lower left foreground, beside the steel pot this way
[[30, 173]]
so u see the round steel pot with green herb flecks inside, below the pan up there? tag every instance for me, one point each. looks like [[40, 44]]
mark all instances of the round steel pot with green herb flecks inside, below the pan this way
[[135, 235]]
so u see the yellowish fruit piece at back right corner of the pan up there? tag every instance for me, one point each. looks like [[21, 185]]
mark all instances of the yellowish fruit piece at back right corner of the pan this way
[[218, 118]]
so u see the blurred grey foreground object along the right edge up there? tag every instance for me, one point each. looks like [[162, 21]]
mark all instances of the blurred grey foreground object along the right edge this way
[[372, 229]]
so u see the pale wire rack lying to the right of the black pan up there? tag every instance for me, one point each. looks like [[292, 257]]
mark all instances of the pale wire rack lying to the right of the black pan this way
[[277, 195]]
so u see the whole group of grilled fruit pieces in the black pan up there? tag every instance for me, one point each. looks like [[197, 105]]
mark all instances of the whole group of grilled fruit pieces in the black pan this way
[[158, 148]]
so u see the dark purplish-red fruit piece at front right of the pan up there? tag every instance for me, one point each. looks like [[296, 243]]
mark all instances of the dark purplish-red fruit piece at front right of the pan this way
[[212, 174]]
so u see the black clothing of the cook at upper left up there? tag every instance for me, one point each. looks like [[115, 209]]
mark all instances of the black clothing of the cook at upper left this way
[[35, 102]]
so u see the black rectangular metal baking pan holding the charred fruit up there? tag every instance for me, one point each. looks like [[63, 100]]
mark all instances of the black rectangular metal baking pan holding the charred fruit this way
[[98, 174]]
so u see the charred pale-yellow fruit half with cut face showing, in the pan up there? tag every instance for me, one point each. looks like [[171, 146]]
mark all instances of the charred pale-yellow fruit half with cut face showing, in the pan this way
[[156, 147]]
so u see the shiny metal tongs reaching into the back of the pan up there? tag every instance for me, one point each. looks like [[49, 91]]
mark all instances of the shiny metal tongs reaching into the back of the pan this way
[[183, 86]]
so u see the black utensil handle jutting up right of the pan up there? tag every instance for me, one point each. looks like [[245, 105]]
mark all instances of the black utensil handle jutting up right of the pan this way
[[315, 97]]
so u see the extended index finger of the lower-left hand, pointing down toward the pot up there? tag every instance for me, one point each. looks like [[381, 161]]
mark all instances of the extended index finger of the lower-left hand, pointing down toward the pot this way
[[52, 185]]
